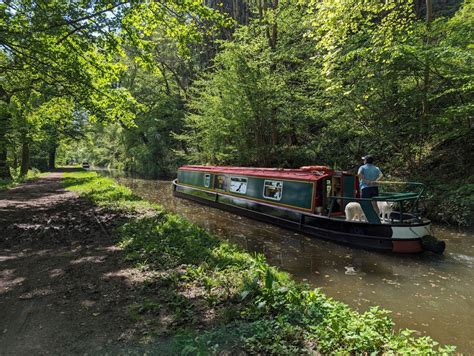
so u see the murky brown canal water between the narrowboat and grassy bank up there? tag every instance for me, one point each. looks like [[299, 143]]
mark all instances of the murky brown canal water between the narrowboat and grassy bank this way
[[429, 293]]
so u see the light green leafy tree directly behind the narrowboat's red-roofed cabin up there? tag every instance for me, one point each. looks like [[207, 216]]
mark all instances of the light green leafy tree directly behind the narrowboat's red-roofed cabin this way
[[259, 104]]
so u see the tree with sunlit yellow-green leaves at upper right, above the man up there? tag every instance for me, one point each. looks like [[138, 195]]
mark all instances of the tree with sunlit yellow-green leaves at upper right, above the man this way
[[375, 59]]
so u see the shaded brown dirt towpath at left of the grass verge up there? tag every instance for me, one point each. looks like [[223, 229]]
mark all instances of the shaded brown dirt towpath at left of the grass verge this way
[[63, 287]]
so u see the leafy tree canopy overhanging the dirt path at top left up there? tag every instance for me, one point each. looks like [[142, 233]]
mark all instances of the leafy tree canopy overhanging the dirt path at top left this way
[[71, 49]]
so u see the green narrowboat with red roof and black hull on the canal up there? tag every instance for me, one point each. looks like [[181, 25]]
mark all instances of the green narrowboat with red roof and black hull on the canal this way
[[312, 200]]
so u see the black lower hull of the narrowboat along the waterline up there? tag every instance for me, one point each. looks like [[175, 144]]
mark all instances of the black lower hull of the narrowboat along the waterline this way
[[381, 237]]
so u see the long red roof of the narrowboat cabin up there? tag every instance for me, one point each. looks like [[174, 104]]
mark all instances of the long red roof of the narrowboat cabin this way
[[310, 173]]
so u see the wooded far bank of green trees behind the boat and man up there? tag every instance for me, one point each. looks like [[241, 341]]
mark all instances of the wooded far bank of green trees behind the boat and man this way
[[342, 79]]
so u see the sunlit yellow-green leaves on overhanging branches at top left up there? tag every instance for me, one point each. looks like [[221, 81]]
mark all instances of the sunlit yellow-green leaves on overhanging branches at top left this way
[[76, 50]]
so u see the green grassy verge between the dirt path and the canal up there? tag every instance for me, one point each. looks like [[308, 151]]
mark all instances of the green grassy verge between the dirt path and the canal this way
[[209, 296]]
